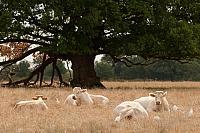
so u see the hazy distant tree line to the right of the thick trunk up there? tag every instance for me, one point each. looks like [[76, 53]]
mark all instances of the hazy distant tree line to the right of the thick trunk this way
[[160, 70]]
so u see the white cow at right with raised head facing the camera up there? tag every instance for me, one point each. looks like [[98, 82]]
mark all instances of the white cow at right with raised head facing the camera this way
[[154, 102]]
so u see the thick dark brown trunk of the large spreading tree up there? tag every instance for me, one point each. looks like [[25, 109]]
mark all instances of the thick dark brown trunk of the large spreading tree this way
[[84, 74]]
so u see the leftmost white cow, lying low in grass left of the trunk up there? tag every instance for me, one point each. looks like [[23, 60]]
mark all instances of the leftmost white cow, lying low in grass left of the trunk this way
[[36, 102]]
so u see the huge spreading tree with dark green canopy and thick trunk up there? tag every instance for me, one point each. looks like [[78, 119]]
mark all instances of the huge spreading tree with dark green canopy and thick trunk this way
[[81, 29]]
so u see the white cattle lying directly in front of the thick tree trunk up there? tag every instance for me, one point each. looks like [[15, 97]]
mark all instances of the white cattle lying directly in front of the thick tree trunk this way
[[81, 96]]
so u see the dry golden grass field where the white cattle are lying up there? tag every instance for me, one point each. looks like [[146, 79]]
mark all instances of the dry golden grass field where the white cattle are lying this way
[[60, 118]]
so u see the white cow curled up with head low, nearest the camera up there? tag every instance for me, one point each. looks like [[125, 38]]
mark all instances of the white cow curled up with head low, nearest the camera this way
[[129, 109]]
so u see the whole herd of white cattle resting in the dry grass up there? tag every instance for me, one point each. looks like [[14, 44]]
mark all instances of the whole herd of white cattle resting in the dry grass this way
[[138, 108]]
